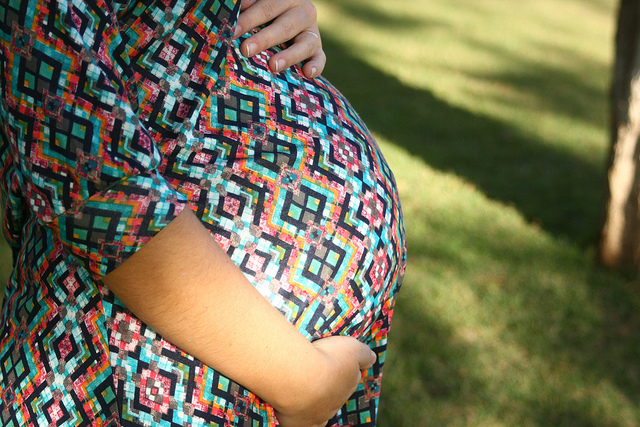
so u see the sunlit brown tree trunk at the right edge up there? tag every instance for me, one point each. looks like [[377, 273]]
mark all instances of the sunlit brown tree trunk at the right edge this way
[[620, 238]]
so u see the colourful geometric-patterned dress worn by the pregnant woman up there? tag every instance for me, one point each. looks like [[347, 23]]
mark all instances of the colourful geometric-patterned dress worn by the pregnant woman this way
[[114, 118]]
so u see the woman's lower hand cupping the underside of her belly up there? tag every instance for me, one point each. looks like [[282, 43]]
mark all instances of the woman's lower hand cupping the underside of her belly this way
[[343, 358]]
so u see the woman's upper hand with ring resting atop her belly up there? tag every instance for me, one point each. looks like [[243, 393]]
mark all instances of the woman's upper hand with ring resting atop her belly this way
[[293, 20]]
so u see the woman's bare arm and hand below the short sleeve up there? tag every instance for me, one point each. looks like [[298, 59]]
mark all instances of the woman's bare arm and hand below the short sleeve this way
[[185, 287]]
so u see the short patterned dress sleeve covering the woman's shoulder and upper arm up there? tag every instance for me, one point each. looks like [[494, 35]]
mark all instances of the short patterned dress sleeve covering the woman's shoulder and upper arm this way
[[85, 163]]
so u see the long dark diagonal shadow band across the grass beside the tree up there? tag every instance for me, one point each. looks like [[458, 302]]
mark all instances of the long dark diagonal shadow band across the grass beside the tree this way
[[554, 189]]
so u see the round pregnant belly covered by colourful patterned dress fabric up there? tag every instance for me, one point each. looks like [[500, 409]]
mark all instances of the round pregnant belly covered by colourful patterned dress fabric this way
[[291, 184]]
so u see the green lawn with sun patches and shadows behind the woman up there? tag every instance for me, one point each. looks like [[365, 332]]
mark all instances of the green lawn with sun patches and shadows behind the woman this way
[[493, 115]]
